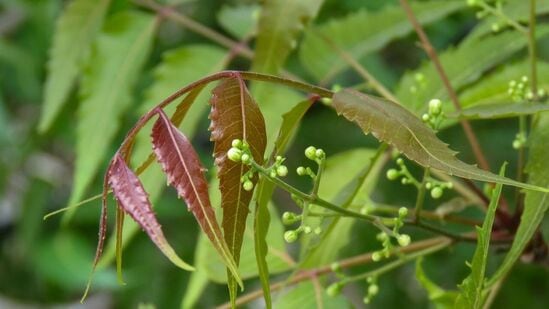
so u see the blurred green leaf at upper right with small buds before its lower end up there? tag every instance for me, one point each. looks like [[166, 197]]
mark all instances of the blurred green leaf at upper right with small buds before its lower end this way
[[463, 65]]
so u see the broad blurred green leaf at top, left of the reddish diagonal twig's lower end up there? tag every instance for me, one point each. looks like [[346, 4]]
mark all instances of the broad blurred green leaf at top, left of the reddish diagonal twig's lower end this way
[[364, 32]]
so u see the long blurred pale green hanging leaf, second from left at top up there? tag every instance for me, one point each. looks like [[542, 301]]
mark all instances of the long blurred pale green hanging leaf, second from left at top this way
[[121, 50]]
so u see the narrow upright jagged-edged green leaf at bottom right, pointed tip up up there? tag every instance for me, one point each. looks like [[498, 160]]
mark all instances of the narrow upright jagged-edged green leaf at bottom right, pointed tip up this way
[[471, 295]]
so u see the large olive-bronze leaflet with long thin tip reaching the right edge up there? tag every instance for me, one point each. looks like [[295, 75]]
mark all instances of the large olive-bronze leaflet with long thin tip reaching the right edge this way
[[395, 125]]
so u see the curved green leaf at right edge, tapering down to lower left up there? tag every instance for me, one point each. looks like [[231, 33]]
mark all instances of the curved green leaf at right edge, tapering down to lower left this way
[[535, 203]]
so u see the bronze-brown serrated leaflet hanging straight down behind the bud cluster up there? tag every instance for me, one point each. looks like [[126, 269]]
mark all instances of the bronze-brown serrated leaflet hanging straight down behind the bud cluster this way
[[235, 115]]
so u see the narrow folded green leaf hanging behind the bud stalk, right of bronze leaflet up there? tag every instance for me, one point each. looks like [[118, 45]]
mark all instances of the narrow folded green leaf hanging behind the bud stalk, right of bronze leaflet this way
[[265, 189]]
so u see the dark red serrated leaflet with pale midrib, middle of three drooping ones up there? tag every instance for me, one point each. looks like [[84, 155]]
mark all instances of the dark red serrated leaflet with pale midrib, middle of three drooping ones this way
[[182, 166]]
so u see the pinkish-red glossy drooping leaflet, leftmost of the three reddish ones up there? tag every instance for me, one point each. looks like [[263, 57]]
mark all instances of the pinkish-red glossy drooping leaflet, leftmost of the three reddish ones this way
[[133, 199]]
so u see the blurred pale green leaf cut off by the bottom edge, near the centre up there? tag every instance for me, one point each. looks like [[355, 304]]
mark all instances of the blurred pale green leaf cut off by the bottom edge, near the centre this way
[[304, 296]]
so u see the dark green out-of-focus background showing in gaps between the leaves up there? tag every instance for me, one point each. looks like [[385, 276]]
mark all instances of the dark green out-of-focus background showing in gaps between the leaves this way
[[45, 263]]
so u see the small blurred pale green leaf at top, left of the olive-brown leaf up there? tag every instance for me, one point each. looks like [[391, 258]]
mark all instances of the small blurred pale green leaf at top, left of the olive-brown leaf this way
[[240, 20]]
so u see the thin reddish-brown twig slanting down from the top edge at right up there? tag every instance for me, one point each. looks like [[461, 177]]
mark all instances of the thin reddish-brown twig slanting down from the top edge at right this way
[[429, 49]]
